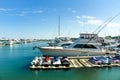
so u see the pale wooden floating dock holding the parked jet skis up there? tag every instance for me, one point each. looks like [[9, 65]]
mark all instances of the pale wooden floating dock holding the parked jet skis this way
[[75, 63]]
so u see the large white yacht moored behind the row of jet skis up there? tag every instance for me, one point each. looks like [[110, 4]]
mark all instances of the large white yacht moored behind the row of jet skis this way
[[86, 44]]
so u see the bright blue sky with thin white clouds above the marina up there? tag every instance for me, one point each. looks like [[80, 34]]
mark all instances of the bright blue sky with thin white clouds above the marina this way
[[39, 18]]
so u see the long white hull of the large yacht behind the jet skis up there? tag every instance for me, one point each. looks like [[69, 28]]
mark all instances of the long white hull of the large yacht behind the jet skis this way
[[59, 51]]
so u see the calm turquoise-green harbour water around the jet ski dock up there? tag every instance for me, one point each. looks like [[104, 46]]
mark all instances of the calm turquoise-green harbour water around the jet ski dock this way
[[15, 61]]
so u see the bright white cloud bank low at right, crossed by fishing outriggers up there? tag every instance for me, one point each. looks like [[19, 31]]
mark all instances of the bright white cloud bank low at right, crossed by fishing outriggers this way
[[90, 20]]
